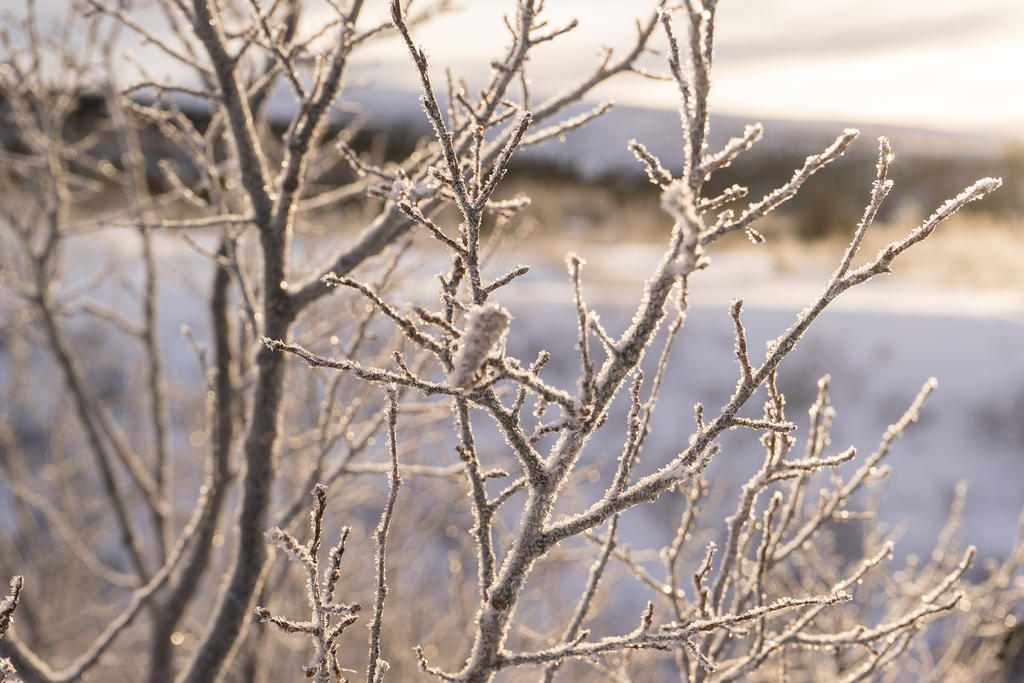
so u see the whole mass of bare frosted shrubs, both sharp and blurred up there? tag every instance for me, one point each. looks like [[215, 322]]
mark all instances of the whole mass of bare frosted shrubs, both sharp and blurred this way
[[122, 461]]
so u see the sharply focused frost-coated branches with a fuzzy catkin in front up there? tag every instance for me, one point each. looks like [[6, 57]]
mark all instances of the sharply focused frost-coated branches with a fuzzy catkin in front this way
[[776, 596]]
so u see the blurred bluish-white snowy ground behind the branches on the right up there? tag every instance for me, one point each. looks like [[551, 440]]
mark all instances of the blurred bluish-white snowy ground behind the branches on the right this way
[[880, 344]]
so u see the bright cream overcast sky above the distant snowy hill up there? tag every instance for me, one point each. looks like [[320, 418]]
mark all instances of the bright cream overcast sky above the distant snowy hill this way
[[941, 64]]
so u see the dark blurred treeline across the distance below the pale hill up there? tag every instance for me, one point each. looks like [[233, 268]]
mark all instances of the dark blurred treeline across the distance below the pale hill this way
[[831, 201]]
